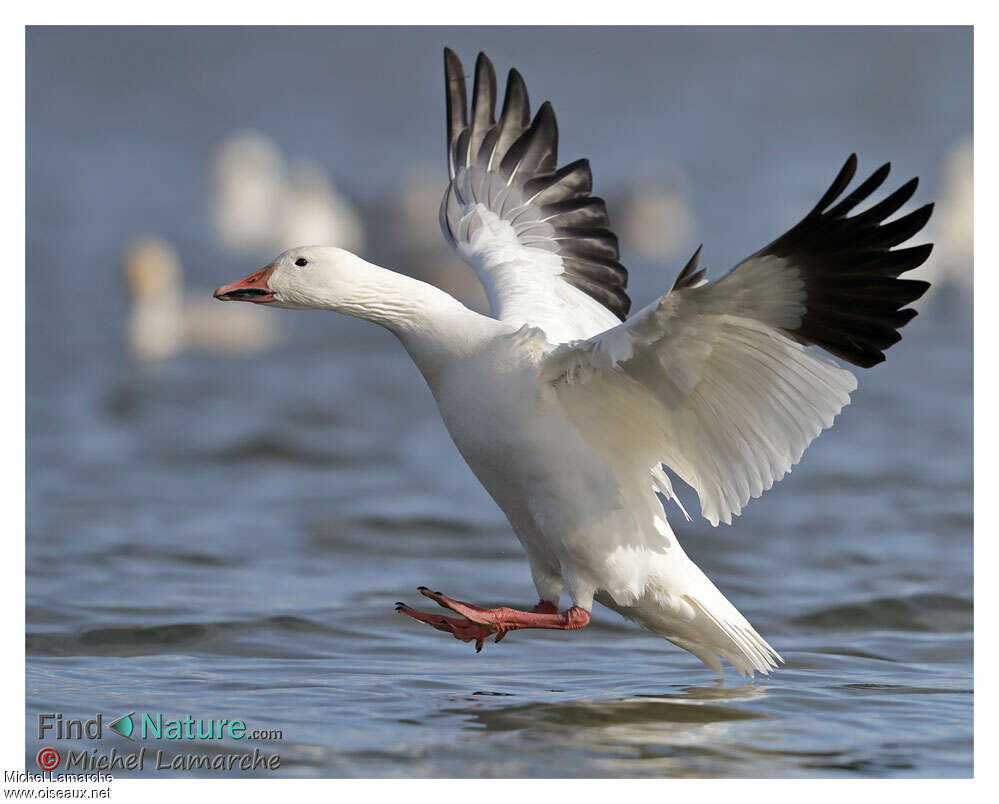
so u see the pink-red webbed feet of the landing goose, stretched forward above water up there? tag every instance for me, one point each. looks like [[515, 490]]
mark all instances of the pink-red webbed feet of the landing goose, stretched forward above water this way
[[476, 623]]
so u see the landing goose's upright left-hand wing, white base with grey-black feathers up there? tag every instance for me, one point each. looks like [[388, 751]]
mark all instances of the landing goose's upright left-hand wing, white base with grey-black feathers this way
[[539, 242]]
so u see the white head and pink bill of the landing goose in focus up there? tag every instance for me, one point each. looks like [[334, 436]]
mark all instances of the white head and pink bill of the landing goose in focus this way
[[309, 277]]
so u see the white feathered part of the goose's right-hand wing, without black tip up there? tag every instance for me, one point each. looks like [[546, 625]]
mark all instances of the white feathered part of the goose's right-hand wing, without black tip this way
[[723, 397]]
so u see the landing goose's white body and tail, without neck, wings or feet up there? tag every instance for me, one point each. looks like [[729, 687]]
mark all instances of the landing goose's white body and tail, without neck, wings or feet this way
[[587, 528]]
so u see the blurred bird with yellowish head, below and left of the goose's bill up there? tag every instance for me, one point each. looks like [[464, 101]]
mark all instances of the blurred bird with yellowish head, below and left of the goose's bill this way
[[164, 321]]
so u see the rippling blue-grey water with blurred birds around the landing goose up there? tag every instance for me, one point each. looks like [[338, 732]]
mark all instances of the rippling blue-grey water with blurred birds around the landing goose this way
[[224, 501]]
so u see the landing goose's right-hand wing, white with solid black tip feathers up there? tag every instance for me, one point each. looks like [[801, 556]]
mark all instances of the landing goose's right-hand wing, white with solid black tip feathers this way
[[718, 376]]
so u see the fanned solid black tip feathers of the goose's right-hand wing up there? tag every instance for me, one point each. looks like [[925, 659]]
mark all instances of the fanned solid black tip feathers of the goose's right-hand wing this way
[[855, 301]]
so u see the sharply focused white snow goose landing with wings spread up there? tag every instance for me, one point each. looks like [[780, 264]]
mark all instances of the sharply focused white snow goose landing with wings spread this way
[[567, 410]]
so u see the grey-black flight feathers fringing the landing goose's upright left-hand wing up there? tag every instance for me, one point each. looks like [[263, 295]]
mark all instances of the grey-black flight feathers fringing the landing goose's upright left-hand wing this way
[[525, 154]]
